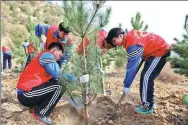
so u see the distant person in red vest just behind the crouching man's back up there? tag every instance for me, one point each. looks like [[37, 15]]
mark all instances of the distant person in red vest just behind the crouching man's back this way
[[31, 52]]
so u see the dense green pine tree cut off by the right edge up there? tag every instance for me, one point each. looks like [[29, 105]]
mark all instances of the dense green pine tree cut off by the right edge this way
[[180, 61]]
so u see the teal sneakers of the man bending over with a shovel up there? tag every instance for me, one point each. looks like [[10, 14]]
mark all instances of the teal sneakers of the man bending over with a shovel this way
[[144, 109]]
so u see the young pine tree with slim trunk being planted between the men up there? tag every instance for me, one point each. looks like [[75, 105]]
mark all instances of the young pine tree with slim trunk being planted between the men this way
[[82, 17]]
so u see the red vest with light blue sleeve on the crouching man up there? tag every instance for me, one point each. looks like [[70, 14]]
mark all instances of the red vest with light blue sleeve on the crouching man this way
[[39, 71]]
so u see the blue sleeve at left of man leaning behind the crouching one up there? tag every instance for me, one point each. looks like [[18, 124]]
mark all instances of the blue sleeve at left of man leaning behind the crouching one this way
[[41, 29]]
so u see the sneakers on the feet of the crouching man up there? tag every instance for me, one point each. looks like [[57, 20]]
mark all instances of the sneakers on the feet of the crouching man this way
[[45, 120]]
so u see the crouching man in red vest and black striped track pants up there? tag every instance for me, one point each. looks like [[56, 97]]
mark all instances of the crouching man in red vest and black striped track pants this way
[[37, 86]]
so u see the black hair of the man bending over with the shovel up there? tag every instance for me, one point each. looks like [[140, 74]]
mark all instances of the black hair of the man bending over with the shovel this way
[[114, 32]]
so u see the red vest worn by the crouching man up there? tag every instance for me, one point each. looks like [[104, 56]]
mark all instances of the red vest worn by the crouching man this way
[[33, 75]]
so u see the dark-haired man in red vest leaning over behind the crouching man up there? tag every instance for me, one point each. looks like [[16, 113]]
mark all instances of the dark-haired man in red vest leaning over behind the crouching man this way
[[56, 34]]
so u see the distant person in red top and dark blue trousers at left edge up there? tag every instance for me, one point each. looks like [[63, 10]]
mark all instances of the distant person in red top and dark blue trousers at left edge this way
[[7, 57]]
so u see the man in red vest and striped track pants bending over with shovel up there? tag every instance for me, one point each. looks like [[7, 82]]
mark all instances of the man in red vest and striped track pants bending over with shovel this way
[[153, 49]]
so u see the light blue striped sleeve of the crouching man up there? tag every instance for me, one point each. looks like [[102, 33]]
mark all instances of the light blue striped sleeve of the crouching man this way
[[48, 61]]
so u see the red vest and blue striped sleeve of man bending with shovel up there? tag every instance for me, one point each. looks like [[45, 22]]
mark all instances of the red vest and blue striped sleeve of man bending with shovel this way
[[139, 44]]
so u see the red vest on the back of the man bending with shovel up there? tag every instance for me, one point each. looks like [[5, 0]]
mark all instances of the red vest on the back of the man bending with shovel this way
[[153, 44]]
